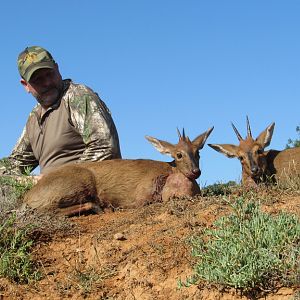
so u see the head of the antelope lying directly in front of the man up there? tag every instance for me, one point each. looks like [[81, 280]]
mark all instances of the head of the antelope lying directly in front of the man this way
[[185, 153]]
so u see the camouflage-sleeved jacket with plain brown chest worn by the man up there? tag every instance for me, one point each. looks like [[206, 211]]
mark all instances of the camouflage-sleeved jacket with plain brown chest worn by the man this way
[[79, 127]]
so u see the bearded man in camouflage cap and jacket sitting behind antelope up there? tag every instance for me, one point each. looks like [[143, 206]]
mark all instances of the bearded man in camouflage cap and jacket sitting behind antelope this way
[[69, 124]]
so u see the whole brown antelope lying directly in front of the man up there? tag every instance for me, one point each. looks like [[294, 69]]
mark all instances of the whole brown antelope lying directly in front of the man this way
[[128, 183]]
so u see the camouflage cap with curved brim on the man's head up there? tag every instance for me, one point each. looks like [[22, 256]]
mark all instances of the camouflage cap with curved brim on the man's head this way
[[32, 59]]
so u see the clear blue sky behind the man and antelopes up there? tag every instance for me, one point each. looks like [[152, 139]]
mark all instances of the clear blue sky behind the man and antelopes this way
[[164, 64]]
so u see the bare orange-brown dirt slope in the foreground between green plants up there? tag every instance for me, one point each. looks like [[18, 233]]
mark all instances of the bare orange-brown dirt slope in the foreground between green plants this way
[[135, 254]]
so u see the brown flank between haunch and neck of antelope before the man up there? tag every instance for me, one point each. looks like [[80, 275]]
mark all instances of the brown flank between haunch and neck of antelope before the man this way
[[129, 183]]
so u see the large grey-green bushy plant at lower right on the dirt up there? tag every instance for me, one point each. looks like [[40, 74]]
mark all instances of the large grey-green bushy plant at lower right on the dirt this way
[[248, 250]]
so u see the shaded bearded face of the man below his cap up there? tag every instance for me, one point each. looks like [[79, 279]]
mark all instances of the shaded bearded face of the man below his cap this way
[[45, 85]]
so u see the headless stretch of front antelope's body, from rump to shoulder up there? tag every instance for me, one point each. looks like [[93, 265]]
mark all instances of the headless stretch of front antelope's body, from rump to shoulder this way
[[117, 183]]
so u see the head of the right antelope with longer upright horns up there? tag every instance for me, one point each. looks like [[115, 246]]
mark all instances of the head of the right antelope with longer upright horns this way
[[250, 152]]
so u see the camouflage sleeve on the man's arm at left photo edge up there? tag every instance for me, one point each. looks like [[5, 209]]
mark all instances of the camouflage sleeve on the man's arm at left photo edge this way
[[21, 160]]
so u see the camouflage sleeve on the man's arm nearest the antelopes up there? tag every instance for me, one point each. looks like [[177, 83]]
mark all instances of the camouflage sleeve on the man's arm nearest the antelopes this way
[[93, 120]]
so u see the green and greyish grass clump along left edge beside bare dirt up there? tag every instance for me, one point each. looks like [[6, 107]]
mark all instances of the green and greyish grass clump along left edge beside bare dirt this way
[[16, 262]]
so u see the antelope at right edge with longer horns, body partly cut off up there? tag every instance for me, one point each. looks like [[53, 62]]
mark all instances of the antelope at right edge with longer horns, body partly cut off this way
[[259, 165]]
